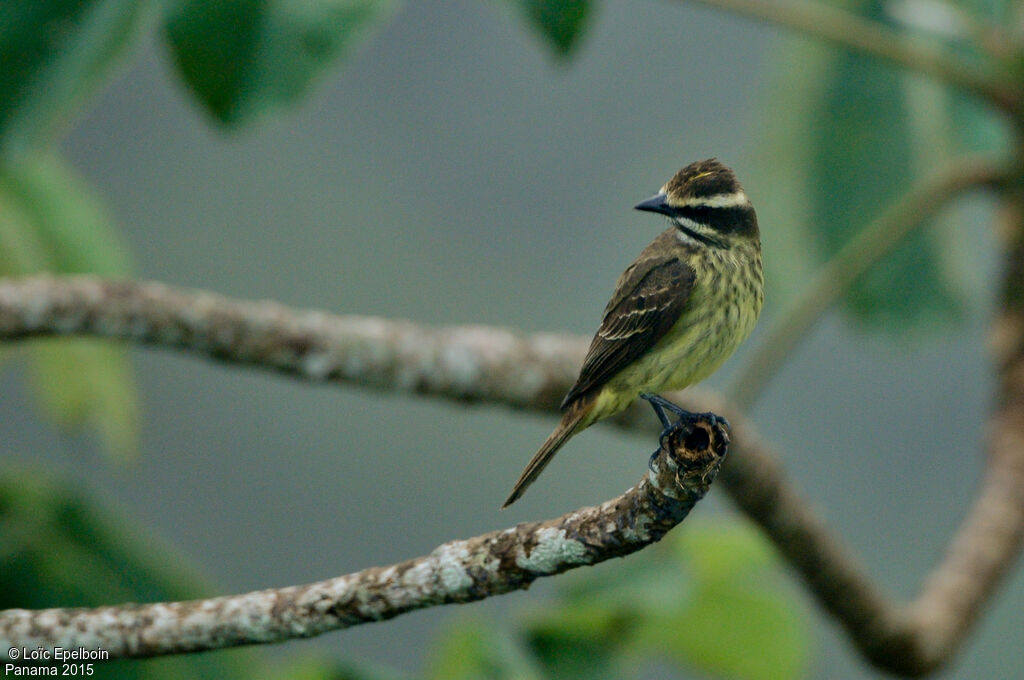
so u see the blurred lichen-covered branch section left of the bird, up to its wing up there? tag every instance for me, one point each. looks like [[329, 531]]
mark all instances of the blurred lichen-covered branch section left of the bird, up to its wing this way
[[459, 363]]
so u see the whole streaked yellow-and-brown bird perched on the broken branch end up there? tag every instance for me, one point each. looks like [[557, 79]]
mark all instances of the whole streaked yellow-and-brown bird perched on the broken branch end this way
[[678, 312]]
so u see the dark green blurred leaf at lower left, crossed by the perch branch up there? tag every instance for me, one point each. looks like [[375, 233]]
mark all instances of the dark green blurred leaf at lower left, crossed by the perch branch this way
[[59, 549]]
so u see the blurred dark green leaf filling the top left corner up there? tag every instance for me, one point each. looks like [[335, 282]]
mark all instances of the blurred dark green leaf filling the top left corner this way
[[55, 54]]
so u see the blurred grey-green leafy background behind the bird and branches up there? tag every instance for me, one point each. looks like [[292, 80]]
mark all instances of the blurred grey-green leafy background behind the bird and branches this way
[[483, 157]]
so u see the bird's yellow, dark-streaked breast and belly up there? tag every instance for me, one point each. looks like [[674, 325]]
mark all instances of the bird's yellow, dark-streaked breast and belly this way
[[721, 314]]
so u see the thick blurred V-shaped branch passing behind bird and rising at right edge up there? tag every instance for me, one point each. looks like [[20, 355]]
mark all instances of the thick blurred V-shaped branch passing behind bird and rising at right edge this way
[[534, 372]]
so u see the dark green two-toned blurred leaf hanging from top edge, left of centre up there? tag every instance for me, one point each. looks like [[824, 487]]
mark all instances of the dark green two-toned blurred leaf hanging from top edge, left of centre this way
[[244, 59]]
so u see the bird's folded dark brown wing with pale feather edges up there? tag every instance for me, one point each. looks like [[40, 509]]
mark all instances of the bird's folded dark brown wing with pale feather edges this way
[[649, 301]]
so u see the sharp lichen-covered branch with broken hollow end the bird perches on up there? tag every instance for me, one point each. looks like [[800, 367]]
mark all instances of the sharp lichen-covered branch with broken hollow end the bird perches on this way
[[458, 572]]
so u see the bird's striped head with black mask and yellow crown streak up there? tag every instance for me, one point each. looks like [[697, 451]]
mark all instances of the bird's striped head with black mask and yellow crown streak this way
[[706, 203]]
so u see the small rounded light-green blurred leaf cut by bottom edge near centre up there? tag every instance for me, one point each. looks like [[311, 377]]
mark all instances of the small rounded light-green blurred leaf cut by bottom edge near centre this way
[[478, 651]]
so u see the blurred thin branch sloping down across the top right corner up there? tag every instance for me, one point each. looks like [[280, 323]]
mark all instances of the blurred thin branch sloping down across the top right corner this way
[[867, 37]]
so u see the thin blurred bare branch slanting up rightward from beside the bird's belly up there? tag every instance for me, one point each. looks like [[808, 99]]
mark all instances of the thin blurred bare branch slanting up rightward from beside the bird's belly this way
[[869, 246]]
